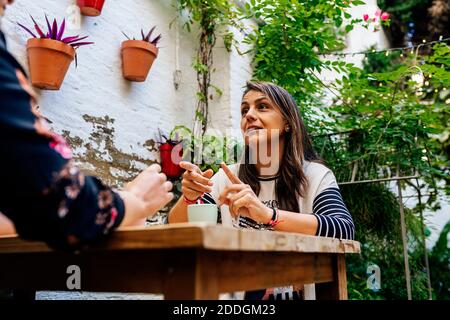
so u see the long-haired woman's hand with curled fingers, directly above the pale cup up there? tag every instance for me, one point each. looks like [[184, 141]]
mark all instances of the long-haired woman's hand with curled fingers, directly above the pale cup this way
[[195, 182]]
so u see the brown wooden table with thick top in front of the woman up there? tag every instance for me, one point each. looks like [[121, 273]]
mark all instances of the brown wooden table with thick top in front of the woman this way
[[183, 261]]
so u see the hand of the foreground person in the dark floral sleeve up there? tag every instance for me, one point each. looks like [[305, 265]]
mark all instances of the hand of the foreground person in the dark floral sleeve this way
[[145, 195]]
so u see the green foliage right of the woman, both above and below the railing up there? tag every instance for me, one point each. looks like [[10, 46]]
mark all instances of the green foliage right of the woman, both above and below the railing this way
[[396, 113]]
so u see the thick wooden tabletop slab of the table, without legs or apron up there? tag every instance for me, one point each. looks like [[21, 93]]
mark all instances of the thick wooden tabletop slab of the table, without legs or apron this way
[[199, 235]]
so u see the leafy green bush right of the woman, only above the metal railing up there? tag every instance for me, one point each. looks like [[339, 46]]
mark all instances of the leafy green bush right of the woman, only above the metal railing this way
[[400, 114]]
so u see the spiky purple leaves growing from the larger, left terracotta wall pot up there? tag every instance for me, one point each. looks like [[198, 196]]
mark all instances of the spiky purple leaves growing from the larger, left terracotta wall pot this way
[[56, 32]]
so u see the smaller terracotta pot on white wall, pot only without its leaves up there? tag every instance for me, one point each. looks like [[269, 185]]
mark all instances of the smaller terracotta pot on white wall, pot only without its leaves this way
[[137, 59]]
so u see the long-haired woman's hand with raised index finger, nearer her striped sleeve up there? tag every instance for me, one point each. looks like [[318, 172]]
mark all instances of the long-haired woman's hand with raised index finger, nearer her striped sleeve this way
[[241, 199]]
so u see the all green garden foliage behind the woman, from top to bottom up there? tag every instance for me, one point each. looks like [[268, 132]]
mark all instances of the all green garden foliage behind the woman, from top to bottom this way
[[381, 118]]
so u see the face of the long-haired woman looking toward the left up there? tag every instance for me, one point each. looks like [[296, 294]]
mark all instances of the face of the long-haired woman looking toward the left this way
[[261, 119]]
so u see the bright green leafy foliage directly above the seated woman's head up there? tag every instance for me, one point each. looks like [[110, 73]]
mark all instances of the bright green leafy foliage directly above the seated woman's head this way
[[291, 38]]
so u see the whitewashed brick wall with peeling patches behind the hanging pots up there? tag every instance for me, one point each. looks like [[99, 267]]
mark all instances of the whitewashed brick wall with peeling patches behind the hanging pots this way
[[112, 124]]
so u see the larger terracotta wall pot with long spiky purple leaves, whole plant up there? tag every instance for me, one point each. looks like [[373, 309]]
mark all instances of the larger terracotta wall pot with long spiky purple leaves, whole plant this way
[[50, 54]]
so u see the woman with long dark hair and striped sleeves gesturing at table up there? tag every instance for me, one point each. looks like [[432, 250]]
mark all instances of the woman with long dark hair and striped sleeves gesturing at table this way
[[281, 184]]
